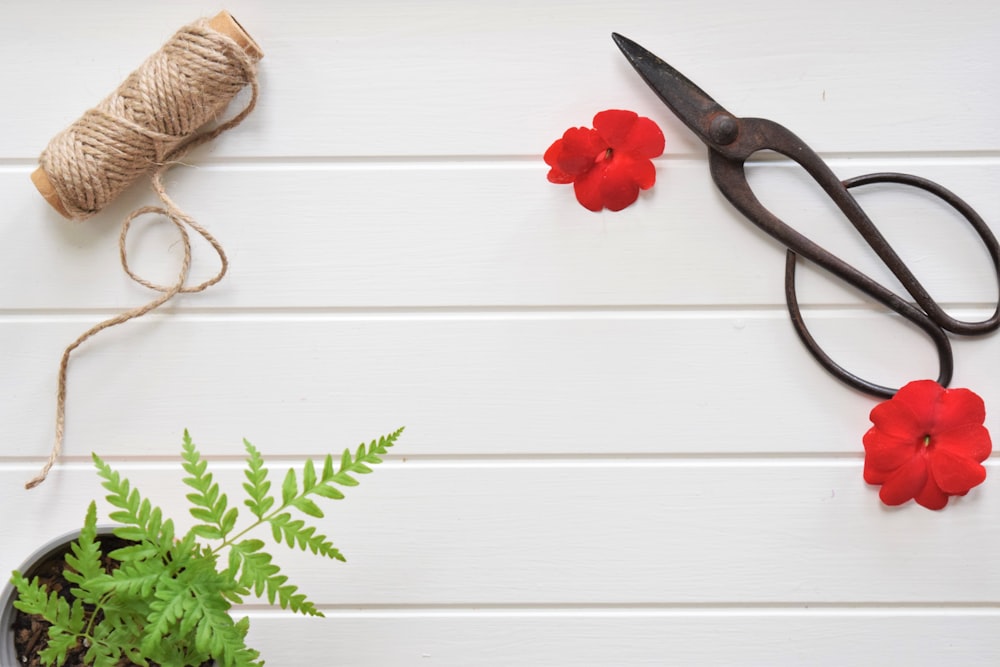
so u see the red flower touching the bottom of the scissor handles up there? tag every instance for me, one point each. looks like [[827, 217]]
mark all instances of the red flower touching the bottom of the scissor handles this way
[[927, 443]]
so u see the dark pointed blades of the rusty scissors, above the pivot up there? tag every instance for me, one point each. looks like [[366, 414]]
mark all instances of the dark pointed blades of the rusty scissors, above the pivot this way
[[689, 102]]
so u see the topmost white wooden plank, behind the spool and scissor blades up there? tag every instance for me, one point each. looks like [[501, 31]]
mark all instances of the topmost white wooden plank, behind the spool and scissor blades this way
[[508, 79]]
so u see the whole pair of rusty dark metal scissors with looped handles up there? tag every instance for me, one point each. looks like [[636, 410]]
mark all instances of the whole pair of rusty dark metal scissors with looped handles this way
[[732, 140]]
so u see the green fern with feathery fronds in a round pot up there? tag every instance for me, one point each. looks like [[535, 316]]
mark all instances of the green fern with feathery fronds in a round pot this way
[[166, 598]]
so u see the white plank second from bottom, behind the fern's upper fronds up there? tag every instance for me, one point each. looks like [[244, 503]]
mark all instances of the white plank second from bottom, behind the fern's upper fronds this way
[[604, 531]]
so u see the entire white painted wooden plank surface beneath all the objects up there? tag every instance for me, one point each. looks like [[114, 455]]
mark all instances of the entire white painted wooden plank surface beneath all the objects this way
[[616, 453]]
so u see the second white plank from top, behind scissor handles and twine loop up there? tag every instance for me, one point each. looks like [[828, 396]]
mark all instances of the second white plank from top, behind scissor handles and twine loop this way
[[345, 235]]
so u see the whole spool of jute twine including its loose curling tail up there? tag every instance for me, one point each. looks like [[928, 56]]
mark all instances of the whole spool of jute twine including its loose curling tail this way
[[164, 109]]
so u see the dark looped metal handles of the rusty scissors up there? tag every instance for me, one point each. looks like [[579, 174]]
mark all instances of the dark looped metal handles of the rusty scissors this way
[[727, 166]]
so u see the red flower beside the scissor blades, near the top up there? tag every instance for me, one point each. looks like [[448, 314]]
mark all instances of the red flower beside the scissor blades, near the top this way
[[609, 164]]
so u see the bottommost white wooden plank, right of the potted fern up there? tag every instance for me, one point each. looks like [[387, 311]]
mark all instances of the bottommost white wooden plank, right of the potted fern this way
[[802, 636]]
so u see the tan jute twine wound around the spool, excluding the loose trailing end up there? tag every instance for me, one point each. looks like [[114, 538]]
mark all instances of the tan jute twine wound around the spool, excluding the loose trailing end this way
[[150, 120]]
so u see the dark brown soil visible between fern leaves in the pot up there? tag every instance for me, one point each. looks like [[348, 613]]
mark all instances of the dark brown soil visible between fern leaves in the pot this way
[[31, 632]]
